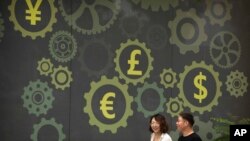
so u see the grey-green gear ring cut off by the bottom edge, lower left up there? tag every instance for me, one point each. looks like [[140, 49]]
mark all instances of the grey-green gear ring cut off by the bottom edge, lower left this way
[[44, 122]]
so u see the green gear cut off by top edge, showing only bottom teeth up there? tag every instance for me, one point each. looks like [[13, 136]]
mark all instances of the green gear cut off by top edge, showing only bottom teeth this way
[[156, 5]]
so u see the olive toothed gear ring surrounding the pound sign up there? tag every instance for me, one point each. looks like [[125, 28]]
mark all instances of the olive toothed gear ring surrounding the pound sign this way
[[117, 58]]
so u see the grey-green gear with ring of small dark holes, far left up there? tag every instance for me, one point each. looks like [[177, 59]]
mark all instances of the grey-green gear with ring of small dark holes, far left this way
[[32, 92]]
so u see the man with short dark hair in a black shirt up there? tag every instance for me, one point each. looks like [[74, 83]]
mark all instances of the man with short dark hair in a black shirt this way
[[185, 124]]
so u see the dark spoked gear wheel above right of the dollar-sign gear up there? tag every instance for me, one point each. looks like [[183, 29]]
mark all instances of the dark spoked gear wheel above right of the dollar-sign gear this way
[[226, 48]]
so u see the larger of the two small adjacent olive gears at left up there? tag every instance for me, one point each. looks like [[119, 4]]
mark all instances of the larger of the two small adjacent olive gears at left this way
[[61, 77]]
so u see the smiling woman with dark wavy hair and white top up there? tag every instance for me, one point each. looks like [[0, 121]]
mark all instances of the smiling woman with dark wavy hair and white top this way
[[159, 128]]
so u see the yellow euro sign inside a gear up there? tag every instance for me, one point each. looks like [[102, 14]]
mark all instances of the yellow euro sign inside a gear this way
[[107, 105]]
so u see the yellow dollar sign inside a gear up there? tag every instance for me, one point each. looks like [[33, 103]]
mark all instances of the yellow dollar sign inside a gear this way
[[198, 84]]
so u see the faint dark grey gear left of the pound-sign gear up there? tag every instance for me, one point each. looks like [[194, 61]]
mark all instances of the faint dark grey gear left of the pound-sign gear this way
[[84, 66]]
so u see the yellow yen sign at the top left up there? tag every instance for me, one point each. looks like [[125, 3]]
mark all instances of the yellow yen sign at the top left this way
[[33, 11]]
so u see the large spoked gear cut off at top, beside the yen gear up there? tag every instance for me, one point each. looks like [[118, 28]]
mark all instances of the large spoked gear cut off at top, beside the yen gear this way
[[86, 9]]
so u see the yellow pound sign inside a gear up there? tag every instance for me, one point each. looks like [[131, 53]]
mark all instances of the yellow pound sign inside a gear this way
[[134, 62]]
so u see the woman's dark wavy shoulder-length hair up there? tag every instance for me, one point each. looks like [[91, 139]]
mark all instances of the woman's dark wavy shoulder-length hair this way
[[162, 121]]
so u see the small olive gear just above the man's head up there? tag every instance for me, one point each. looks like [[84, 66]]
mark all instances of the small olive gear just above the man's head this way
[[174, 106]]
